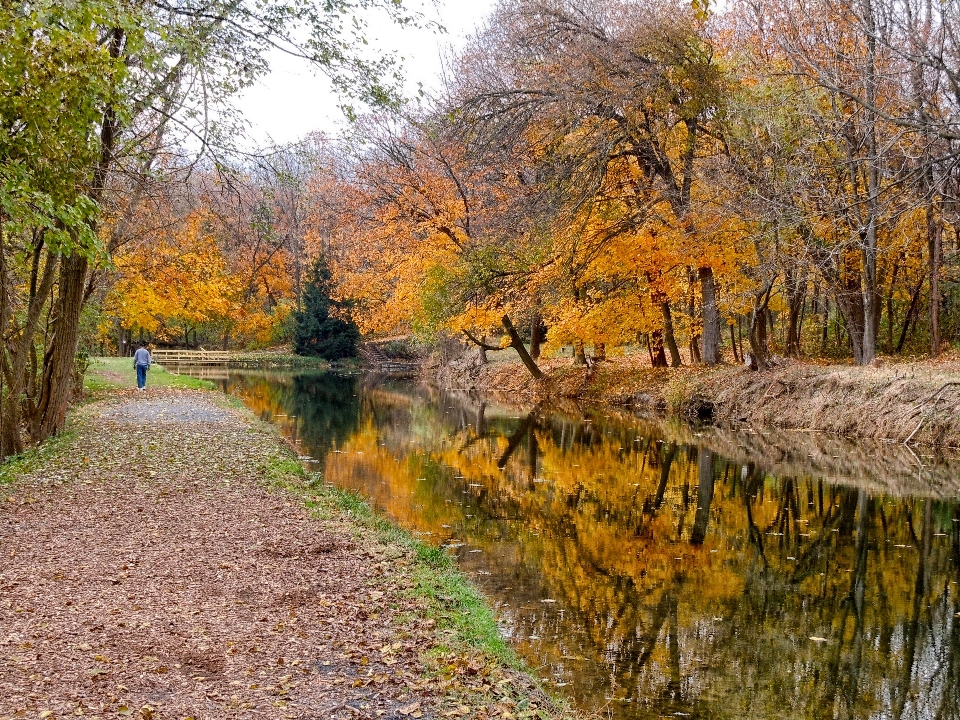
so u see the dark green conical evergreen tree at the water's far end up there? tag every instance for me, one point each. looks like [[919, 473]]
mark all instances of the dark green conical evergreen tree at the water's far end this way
[[315, 331]]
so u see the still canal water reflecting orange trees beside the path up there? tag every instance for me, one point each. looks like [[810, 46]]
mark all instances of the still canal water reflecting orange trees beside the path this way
[[654, 570]]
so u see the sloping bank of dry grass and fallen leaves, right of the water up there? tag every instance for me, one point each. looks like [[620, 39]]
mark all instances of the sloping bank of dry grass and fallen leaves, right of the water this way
[[886, 402]]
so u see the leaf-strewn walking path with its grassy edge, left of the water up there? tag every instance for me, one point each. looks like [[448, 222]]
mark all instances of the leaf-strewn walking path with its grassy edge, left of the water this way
[[168, 557]]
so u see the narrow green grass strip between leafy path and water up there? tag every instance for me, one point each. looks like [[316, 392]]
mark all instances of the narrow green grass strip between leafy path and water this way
[[454, 603]]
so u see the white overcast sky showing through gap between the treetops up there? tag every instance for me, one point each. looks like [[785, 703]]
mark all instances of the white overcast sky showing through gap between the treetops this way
[[293, 100]]
